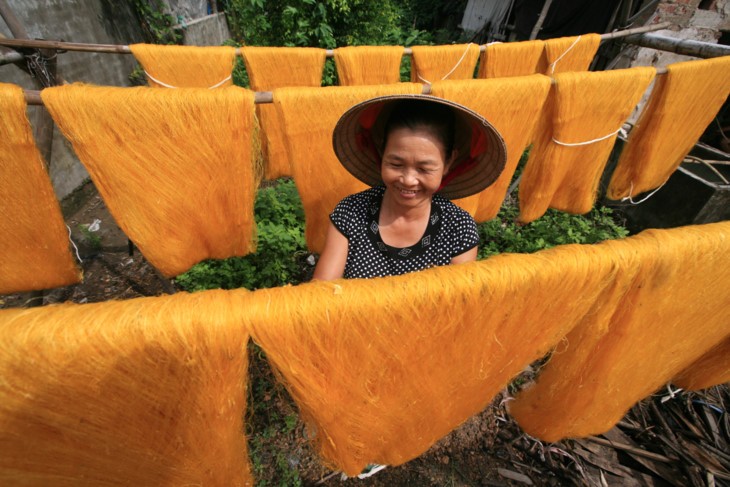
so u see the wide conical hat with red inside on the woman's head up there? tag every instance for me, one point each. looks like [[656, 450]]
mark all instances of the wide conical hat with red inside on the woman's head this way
[[477, 143]]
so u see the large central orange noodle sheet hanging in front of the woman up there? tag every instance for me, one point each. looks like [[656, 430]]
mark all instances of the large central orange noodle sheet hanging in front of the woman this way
[[385, 367]]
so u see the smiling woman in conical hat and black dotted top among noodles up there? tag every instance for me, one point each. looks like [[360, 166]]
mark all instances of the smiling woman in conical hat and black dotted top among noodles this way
[[415, 151]]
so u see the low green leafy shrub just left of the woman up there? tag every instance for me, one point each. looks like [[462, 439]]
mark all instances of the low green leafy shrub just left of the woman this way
[[281, 248]]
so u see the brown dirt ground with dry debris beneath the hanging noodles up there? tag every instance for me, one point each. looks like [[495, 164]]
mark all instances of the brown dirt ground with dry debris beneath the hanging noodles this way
[[668, 439]]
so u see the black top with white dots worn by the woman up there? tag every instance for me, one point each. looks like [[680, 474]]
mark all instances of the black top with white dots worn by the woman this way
[[451, 231]]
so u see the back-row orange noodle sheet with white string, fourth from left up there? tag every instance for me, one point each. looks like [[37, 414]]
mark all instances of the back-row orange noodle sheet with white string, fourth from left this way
[[436, 63]]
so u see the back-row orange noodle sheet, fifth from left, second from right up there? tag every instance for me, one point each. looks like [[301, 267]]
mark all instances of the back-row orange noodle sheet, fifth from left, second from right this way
[[507, 59]]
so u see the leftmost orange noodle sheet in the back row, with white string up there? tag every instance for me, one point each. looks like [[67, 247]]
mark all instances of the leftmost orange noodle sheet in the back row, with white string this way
[[186, 66]]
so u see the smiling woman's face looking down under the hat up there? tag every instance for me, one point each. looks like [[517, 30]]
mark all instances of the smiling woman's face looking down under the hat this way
[[414, 162]]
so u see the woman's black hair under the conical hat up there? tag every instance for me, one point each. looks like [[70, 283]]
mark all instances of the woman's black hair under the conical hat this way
[[423, 114]]
